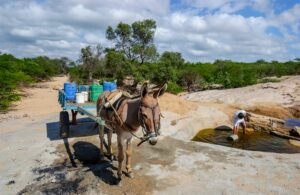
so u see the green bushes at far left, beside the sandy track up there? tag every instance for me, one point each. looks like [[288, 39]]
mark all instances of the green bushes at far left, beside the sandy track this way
[[16, 72]]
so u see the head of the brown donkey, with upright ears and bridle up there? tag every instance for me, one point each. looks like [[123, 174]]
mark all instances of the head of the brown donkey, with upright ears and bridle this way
[[150, 111]]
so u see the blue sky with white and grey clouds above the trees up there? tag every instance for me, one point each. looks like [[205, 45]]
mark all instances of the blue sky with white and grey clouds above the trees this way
[[201, 30]]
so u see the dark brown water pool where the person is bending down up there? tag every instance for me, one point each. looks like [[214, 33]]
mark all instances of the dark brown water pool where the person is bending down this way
[[256, 141]]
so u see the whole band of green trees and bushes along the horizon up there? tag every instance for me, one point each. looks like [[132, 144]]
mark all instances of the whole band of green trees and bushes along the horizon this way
[[133, 53]]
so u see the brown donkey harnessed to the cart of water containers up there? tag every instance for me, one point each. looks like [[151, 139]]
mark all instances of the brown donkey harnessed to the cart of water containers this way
[[129, 115]]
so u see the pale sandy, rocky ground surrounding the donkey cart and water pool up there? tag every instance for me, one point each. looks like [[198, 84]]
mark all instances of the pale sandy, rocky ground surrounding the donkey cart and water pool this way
[[34, 160]]
